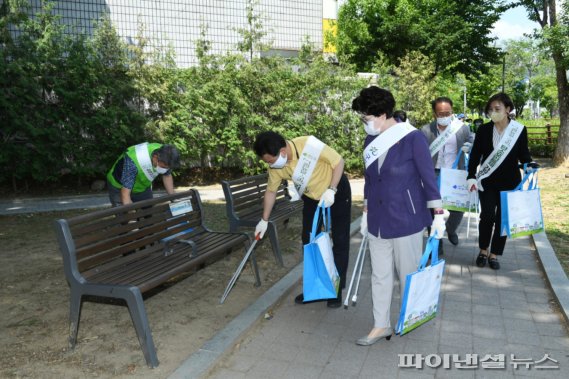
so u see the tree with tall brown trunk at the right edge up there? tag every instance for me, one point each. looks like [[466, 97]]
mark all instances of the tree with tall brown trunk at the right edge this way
[[555, 32]]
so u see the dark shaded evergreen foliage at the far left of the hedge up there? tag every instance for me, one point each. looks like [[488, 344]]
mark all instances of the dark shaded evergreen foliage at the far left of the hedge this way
[[63, 97]]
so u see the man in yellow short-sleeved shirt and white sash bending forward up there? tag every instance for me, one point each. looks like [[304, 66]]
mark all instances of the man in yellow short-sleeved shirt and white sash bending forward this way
[[317, 171]]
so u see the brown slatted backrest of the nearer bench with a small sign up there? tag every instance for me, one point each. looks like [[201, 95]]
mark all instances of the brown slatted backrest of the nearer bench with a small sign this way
[[97, 239]]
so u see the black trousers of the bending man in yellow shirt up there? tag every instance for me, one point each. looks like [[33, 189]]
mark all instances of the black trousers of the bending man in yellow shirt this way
[[341, 218]]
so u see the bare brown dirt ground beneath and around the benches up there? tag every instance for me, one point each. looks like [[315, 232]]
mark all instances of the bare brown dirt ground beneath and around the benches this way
[[34, 304]]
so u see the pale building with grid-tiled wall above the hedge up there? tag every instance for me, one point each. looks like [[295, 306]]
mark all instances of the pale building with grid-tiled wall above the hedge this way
[[178, 23]]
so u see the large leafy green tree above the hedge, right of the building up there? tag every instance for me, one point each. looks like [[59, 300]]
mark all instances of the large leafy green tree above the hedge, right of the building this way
[[454, 34]]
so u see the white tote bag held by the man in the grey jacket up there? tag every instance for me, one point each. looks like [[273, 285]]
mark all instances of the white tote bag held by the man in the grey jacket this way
[[454, 189]]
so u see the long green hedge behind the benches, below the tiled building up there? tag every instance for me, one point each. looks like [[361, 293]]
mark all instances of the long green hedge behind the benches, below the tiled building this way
[[69, 105]]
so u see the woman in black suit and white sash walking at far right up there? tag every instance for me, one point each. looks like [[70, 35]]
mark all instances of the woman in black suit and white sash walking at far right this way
[[498, 147]]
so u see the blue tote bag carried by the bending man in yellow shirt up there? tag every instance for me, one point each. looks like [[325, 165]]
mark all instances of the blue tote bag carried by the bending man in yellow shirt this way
[[320, 276]]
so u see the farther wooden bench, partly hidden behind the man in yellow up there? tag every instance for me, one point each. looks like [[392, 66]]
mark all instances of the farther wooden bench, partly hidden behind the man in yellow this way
[[244, 205]]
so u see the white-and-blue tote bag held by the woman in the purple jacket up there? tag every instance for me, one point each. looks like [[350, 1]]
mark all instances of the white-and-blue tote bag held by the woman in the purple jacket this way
[[420, 301]]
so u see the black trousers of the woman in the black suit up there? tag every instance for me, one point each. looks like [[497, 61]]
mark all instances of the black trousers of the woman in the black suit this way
[[491, 222]]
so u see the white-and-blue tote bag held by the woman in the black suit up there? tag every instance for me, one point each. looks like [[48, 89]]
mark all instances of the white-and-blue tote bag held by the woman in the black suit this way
[[521, 208]]
